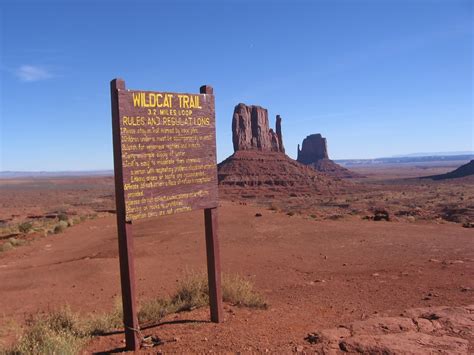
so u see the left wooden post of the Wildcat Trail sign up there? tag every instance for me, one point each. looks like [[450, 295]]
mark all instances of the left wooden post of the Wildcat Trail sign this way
[[124, 229]]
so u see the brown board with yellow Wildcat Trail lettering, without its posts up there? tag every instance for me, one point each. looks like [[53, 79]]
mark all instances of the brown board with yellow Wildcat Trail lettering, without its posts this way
[[168, 151]]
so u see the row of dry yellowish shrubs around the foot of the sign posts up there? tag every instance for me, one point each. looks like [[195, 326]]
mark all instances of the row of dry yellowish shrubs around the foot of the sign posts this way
[[65, 332]]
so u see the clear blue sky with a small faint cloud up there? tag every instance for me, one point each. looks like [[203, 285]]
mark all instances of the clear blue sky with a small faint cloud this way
[[376, 78]]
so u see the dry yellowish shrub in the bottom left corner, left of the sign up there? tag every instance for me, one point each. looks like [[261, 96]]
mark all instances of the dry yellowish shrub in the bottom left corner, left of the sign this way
[[55, 333]]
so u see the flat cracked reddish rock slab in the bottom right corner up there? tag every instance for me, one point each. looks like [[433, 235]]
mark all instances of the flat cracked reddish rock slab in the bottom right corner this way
[[430, 330]]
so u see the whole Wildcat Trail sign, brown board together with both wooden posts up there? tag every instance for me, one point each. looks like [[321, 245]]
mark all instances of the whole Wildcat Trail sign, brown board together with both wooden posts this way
[[164, 163]]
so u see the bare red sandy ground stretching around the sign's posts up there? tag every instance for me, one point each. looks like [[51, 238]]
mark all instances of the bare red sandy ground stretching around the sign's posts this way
[[314, 274]]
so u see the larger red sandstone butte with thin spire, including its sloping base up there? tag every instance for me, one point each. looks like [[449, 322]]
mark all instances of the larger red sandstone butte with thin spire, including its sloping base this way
[[259, 164]]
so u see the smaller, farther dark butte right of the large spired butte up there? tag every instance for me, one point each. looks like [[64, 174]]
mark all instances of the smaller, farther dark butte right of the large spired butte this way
[[314, 153]]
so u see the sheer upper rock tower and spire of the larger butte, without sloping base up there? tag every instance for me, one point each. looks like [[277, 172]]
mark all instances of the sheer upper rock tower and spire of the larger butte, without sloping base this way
[[250, 130]]
